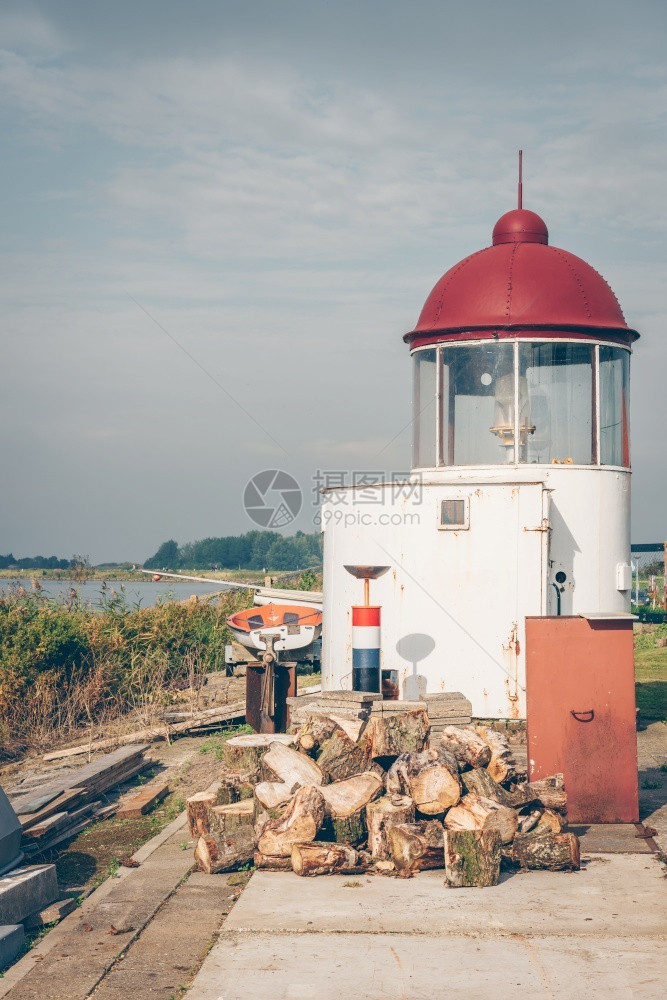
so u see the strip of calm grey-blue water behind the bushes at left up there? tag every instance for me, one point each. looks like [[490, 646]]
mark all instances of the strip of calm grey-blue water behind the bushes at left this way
[[142, 593]]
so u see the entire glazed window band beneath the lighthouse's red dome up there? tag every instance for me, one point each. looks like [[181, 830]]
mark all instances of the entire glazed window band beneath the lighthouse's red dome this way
[[503, 402]]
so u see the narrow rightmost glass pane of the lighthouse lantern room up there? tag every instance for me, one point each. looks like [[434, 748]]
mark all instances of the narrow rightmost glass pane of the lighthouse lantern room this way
[[614, 406]]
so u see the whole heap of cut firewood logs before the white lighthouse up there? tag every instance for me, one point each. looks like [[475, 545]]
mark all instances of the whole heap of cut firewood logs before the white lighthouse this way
[[378, 797]]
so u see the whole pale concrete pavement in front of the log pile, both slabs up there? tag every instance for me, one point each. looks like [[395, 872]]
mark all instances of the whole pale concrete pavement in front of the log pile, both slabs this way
[[598, 933]]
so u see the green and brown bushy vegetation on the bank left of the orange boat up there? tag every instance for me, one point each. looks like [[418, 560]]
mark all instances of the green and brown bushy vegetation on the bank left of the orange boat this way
[[63, 663]]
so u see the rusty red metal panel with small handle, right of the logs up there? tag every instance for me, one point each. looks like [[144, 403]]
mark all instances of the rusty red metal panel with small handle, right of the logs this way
[[581, 717]]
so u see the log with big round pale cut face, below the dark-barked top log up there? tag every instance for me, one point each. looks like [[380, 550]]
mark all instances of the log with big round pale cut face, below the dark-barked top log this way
[[430, 778]]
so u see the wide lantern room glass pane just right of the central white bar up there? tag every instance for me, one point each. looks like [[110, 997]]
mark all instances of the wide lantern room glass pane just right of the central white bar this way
[[556, 403]]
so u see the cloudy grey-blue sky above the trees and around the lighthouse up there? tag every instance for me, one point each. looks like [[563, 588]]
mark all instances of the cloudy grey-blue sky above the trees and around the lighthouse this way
[[219, 218]]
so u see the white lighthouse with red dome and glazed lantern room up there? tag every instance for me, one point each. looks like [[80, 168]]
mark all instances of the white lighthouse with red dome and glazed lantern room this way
[[518, 502]]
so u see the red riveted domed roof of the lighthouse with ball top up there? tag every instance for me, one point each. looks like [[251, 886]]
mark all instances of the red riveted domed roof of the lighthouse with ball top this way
[[518, 286]]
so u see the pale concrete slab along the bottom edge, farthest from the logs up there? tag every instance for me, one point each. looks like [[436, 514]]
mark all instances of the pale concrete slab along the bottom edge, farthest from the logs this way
[[405, 967]]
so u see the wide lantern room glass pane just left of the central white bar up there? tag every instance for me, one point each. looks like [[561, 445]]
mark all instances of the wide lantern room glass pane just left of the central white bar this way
[[478, 404]]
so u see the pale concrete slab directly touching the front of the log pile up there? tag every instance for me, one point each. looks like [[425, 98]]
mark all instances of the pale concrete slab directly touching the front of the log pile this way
[[618, 894]]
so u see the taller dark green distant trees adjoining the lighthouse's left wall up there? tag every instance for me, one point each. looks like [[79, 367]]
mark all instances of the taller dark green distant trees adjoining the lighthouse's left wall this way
[[256, 550]]
